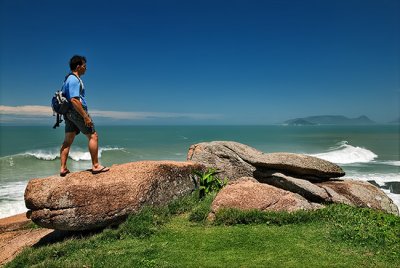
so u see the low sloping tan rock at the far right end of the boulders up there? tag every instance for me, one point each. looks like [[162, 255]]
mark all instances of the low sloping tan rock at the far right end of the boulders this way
[[360, 194]]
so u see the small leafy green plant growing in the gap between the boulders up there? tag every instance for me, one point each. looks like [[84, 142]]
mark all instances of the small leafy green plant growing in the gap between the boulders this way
[[209, 182]]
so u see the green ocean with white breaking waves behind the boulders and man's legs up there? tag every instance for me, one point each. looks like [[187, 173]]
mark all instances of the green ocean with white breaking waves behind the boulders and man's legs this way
[[369, 153]]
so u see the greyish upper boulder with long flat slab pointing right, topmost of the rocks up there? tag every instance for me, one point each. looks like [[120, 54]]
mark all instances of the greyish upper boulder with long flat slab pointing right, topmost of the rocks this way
[[236, 160]]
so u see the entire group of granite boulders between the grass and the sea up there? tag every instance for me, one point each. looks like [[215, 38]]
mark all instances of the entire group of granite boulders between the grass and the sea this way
[[283, 181]]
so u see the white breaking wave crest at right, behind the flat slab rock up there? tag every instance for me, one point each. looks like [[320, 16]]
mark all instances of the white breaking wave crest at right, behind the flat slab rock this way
[[345, 153]]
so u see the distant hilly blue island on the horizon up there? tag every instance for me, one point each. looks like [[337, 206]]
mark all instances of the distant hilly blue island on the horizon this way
[[329, 120]]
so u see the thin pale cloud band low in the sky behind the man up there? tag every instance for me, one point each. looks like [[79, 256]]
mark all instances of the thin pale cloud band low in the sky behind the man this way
[[44, 111]]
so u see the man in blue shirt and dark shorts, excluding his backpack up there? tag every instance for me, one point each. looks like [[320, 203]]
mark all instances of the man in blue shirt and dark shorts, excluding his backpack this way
[[77, 118]]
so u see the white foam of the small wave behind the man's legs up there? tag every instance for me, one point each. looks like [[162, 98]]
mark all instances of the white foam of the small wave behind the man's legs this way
[[75, 154]]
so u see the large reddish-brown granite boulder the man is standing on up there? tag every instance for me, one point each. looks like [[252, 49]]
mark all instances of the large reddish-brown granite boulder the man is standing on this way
[[82, 201]]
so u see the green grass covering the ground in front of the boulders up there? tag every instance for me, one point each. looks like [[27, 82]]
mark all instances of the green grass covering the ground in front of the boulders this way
[[179, 236]]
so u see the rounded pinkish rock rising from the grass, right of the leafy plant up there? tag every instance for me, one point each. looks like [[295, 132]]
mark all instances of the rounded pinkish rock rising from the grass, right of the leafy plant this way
[[247, 194]]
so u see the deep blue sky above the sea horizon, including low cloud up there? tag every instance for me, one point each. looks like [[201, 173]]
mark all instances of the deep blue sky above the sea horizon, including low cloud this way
[[200, 62]]
